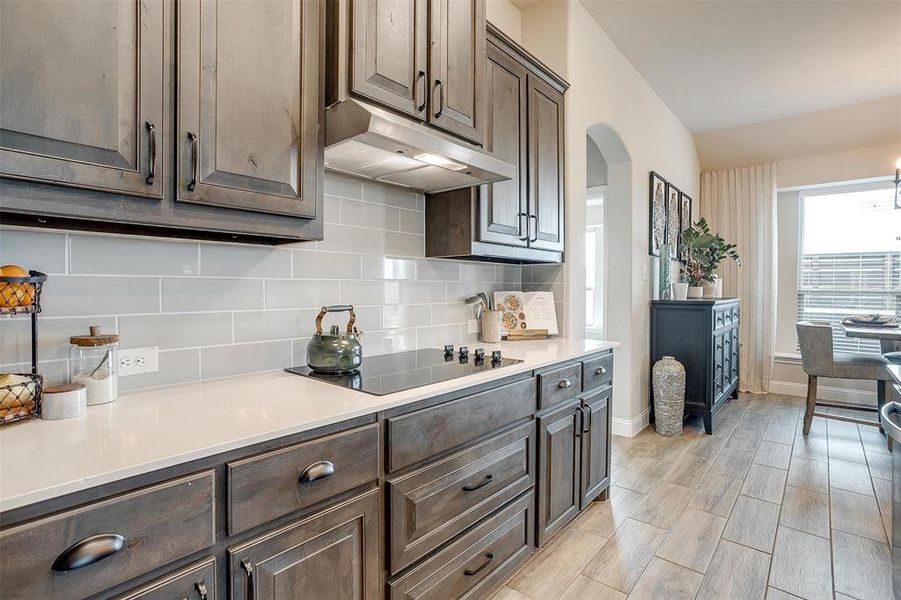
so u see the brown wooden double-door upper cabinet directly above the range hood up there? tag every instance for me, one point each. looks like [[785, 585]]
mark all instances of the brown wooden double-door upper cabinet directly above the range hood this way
[[422, 58]]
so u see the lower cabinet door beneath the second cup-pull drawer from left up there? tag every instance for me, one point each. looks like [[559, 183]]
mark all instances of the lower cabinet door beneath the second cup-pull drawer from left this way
[[333, 554]]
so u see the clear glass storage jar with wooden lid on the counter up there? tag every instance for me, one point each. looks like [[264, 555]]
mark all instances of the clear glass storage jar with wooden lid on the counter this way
[[94, 363]]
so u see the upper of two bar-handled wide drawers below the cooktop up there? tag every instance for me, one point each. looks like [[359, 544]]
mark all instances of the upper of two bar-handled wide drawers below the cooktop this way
[[433, 504]]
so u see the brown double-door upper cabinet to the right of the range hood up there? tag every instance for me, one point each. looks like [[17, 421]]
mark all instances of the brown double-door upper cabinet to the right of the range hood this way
[[519, 220]]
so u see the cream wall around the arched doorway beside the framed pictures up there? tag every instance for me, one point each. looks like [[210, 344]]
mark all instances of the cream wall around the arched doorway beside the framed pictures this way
[[641, 135]]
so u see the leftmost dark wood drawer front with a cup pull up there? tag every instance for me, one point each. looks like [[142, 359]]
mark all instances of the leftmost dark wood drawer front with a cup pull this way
[[157, 525]]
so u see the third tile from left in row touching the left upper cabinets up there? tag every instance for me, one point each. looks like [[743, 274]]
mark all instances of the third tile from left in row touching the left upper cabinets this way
[[224, 260]]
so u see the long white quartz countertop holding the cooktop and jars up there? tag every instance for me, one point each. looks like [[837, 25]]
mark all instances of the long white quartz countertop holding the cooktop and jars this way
[[150, 430]]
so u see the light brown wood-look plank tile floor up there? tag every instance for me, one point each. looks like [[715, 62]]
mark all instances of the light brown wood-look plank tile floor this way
[[755, 510]]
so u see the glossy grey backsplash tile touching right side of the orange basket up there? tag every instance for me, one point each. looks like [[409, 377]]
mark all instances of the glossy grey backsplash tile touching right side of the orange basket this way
[[67, 295]]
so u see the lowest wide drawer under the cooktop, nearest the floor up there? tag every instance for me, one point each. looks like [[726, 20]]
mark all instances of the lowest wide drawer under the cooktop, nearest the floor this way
[[475, 563]]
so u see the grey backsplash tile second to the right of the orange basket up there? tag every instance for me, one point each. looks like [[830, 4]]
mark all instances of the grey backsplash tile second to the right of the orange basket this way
[[195, 294]]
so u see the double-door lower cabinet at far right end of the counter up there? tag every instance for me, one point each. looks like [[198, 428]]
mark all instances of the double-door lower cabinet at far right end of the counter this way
[[573, 459]]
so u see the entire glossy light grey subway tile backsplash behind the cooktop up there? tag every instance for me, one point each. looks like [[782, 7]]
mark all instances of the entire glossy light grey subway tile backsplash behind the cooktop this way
[[216, 310]]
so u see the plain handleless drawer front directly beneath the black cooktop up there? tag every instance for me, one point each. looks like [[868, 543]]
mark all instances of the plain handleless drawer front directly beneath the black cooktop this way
[[419, 435]]
